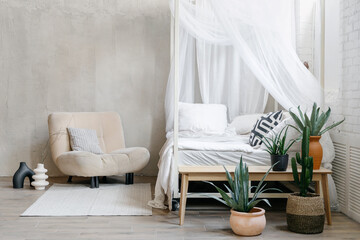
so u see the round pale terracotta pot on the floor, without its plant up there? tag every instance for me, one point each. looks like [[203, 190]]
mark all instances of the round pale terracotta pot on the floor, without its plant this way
[[248, 224]]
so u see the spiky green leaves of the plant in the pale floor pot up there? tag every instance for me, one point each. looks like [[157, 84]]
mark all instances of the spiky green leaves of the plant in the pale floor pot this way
[[239, 189]]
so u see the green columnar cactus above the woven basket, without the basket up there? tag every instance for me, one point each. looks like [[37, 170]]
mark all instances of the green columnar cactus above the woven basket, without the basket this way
[[306, 163]]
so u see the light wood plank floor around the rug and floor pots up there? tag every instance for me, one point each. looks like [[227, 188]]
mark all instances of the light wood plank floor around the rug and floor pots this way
[[204, 224]]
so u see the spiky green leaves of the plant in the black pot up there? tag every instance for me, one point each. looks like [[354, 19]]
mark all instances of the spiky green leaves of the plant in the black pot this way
[[276, 144]]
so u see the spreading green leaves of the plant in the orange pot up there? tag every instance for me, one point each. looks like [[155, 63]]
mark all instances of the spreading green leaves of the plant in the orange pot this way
[[315, 122]]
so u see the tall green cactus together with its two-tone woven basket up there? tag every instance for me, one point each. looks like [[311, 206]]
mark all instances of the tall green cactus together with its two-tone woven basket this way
[[304, 211]]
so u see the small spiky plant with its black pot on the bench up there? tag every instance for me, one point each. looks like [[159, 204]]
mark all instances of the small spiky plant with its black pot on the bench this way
[[277, 147]]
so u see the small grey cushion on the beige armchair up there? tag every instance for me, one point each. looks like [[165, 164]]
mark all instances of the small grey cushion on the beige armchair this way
[[86, 140]]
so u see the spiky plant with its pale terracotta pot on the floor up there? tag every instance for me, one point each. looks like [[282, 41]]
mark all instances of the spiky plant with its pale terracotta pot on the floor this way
[[246, 219]]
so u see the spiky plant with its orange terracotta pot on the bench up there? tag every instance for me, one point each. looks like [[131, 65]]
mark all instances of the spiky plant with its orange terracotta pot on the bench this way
[[315, 123]]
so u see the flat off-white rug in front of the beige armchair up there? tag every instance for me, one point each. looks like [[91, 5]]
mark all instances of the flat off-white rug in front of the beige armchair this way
[[80, 200]]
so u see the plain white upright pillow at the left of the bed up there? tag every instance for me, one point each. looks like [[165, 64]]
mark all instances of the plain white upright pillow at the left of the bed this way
[[205, 118]]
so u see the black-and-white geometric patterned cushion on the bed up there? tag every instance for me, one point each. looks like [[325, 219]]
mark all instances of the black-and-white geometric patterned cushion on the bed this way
[[263, 126]]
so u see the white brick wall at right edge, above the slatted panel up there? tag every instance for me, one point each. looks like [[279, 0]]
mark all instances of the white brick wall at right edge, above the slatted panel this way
[[348, 102]]
